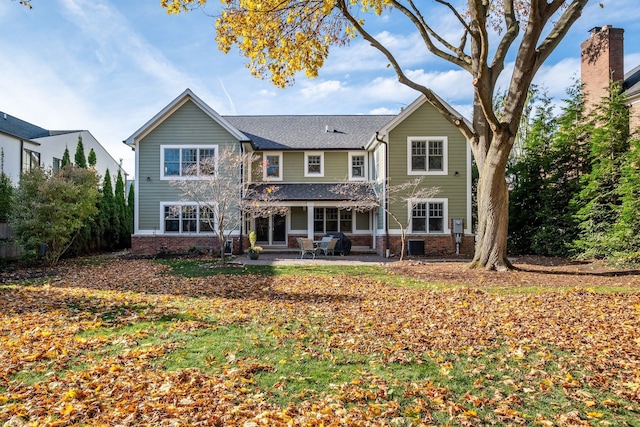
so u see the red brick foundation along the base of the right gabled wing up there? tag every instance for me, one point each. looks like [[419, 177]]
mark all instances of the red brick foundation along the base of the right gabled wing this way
[[444, 245]]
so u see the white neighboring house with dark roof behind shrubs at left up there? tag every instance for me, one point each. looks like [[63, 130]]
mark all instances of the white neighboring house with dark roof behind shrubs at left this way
[[26, 146]]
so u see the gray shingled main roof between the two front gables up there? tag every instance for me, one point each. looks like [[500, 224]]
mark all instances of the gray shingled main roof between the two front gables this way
[[309, 132]]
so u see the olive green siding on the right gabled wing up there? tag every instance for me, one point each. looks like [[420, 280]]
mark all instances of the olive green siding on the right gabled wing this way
[[426, 121]]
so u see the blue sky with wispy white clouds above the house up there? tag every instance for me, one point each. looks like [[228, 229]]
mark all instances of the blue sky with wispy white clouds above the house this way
[[108, 66]]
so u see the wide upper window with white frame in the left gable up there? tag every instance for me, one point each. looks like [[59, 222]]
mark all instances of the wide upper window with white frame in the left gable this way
[[178, 161]]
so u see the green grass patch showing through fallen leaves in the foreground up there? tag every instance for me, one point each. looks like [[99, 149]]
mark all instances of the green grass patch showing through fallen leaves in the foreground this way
[[294, 370]]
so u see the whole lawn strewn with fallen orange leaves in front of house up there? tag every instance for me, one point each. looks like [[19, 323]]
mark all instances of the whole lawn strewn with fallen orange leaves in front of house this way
[[137, 342]]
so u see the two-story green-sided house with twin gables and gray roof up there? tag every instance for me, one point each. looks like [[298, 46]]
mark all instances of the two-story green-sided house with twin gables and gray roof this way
[[305, 157]]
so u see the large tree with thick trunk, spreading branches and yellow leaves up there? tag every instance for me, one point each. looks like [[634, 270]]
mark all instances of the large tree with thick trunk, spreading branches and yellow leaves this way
[[280, 38]]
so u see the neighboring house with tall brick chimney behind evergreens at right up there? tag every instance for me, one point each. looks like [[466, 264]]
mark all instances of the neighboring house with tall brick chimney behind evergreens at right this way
[[602, 61]]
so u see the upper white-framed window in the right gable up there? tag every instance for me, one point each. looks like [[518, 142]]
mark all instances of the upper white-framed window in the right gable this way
[[427, 155]]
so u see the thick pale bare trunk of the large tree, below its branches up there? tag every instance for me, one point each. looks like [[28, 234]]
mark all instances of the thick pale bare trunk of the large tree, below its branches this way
[[493, 206]]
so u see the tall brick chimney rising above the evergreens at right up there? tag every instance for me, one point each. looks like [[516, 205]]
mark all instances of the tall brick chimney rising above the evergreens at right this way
[[602, 60]]
